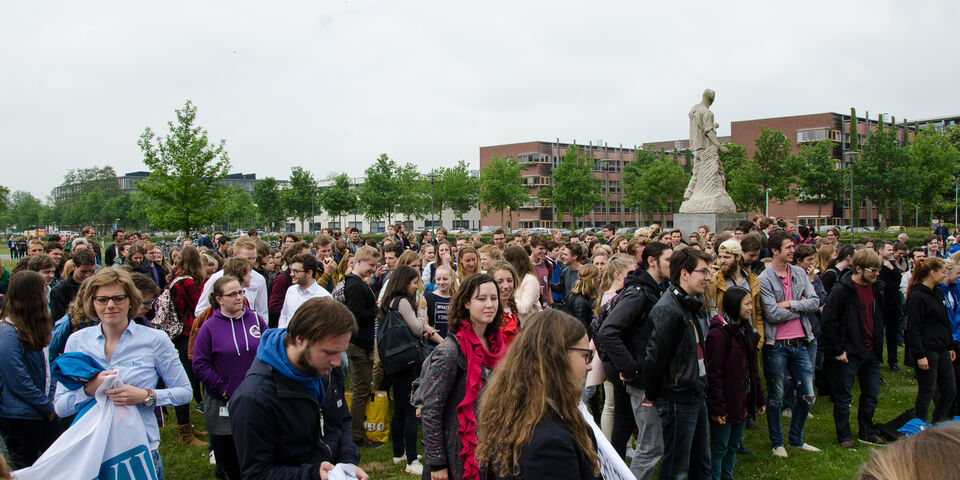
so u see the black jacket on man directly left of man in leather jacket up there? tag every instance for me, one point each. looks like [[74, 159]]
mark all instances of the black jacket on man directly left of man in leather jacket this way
[[624, 333]]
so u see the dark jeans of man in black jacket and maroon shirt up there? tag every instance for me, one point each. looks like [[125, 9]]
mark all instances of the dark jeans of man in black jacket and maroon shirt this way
[[868, 371]]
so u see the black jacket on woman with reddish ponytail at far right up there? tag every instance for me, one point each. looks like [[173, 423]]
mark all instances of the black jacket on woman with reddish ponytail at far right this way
[[928, 326]]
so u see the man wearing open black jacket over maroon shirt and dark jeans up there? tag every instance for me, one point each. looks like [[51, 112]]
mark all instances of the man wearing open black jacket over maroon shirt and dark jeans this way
[[853, 335]]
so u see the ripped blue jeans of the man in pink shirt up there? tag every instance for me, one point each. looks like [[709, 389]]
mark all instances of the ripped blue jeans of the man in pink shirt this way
[[779, 360]]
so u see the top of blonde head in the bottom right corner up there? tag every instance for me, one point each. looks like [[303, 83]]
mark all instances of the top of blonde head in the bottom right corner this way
[[928, 454]]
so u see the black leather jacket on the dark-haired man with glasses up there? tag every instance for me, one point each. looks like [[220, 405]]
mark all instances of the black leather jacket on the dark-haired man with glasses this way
[[670, 369]]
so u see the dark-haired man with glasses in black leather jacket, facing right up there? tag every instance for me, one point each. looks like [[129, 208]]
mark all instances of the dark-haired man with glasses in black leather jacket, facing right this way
[[674, 372]]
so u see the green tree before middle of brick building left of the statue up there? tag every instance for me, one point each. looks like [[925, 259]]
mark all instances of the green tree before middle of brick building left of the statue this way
[[575, 189]]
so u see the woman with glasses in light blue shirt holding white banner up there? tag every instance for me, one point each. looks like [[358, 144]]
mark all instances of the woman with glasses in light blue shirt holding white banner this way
[[139, 355]]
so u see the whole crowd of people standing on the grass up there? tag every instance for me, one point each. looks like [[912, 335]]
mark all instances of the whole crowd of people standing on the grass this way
[[673, 343]]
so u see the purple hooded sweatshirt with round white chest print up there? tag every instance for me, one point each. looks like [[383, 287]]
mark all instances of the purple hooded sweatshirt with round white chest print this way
[[224, 349]]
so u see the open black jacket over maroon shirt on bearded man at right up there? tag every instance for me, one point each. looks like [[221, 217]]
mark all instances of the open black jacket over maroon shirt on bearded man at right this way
[[842, 326]]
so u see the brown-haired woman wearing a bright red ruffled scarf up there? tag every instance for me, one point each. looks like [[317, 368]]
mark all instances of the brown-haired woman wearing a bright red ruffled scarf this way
[[461, 364]]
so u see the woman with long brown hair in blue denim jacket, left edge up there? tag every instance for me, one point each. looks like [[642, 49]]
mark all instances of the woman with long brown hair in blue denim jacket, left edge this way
[[27, 418]]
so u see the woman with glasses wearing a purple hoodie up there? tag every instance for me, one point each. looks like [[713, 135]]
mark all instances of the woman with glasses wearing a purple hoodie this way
[[224, 350]]
